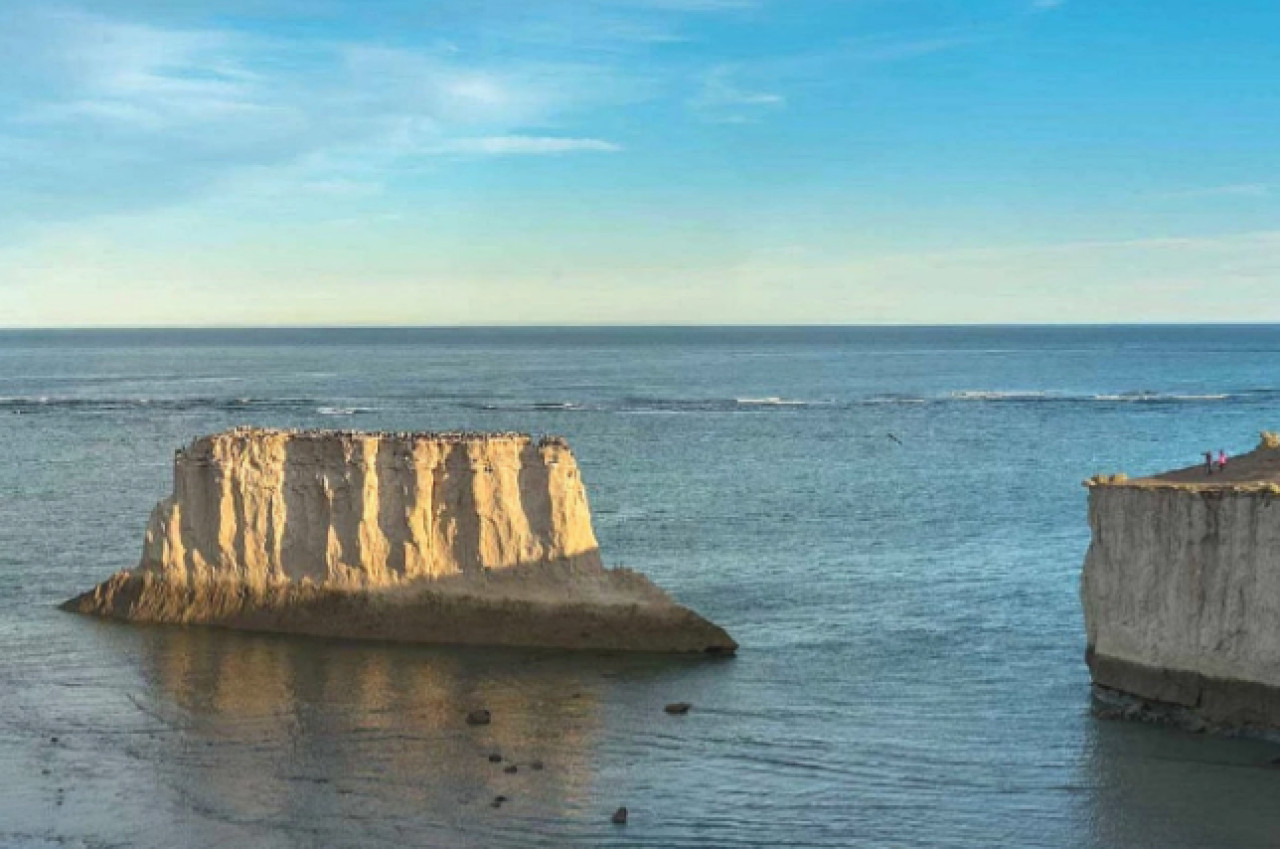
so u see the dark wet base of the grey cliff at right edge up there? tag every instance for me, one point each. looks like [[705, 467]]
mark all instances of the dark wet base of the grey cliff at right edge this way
[[1188, 700]]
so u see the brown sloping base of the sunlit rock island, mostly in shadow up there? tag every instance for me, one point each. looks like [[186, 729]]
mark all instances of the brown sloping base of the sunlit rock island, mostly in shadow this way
[[474, 610]]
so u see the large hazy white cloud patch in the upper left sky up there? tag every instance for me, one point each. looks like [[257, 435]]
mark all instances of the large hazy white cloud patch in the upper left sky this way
[[111, 115]]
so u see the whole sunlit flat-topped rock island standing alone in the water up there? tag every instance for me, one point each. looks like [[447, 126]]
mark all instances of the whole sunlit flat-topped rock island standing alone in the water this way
[[422, 537]]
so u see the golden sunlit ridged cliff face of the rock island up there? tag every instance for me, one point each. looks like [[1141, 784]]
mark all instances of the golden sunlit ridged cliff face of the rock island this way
[[367, 510]]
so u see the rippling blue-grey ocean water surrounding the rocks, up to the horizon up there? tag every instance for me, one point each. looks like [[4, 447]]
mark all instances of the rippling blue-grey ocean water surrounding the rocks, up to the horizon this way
[[912, 669]]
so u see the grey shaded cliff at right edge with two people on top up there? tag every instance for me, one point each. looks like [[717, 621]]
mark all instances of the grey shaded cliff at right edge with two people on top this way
[[1182, 592]]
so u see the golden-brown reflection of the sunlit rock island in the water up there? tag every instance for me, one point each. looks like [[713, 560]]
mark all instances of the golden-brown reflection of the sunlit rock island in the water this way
[[286, 732]]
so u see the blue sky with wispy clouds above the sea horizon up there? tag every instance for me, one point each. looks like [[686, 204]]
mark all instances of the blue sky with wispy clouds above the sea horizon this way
[[579, 162]]
